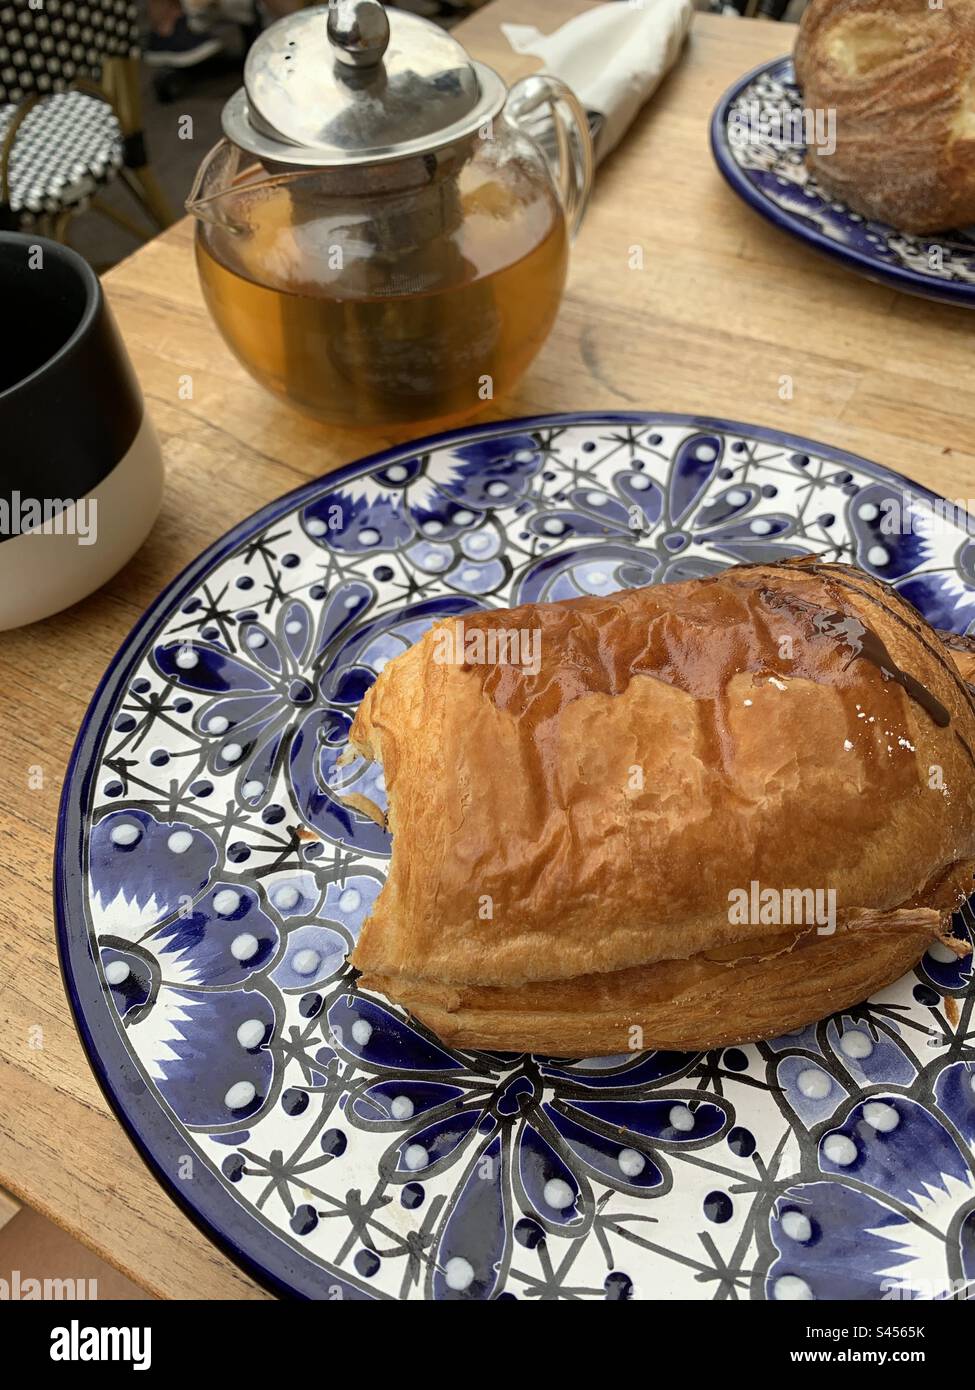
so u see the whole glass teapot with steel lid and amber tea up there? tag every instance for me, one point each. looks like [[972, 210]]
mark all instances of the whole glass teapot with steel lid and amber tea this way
[[383, 233]]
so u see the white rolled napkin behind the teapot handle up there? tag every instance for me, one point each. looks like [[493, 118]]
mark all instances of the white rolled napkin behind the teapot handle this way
[[613, 58]]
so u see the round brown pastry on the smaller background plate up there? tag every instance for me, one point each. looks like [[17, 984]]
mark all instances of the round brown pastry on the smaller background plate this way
[[899, 77]]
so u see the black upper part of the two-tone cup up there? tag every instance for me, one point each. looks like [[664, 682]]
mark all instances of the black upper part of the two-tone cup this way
[[76, 412]]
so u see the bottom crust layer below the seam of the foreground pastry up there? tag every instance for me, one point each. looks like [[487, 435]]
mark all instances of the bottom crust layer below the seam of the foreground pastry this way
[[711, 1000]]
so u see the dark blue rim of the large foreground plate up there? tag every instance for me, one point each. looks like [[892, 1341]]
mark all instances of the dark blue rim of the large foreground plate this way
[[273, 1260]]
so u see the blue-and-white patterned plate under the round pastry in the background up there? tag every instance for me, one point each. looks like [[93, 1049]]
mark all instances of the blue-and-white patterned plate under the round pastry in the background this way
[[771, 174]]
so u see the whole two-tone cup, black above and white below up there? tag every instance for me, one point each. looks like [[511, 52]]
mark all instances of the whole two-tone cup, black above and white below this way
[[81, 472]]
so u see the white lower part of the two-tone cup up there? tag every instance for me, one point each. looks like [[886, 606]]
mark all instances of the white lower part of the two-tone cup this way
[[45, 572]]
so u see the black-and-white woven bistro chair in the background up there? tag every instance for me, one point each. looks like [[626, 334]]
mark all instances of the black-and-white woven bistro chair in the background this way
[[70, 115]]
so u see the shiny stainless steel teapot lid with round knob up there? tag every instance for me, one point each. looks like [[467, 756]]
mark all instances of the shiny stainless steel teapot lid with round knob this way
[[350, 83]]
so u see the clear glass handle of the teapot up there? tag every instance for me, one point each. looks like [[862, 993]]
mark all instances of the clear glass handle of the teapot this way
[[553, 117]]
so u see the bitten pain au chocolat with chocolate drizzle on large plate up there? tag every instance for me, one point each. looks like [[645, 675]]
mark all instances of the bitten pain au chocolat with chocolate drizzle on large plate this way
[[674, 818]]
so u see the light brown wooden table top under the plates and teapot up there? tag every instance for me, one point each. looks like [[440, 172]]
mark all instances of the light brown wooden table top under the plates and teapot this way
[[723, 309]]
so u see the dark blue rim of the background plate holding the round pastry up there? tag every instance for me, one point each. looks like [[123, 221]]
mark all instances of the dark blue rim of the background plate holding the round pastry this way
[[871, 268]]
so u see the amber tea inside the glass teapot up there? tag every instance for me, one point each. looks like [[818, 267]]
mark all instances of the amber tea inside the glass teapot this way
[[321, 312]]
